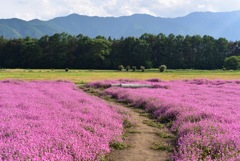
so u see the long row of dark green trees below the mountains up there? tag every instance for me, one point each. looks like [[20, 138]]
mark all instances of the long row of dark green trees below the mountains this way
[[82, 52]]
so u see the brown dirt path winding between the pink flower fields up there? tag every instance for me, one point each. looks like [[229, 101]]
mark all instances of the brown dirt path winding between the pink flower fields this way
[[147, 140]]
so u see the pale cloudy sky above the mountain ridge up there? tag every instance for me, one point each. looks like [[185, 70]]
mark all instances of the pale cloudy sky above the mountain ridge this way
[[48, 9]]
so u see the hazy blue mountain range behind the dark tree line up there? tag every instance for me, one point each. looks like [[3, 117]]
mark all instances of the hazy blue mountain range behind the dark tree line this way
[[220, 24]]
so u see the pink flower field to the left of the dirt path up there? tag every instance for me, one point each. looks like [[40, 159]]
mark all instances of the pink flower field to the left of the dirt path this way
[[44, 120]]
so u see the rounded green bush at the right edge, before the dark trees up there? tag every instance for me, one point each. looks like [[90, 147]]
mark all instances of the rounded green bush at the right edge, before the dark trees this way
[[232, 62]]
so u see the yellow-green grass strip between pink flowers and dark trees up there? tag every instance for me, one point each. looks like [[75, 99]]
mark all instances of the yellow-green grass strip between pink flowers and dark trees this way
[[84, 76]]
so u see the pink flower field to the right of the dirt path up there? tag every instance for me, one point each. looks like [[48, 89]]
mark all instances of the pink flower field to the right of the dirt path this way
[[204, 114]]
